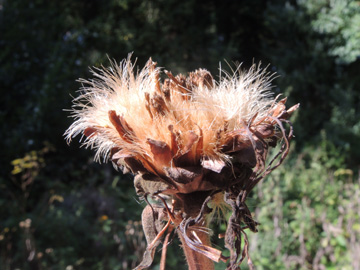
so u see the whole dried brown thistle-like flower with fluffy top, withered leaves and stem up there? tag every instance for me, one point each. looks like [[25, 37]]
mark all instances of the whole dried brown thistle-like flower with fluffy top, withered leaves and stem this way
[[192, 143]]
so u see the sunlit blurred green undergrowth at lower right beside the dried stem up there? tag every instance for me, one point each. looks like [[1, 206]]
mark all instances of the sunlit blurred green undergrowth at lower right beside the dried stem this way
[[309, 215]]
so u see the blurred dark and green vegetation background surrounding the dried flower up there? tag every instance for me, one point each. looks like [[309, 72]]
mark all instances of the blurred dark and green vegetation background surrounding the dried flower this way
[[61, 211]]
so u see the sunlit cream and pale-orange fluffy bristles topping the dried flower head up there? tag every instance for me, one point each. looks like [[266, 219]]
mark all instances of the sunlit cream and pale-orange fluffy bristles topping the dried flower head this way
[[211, 108]]
